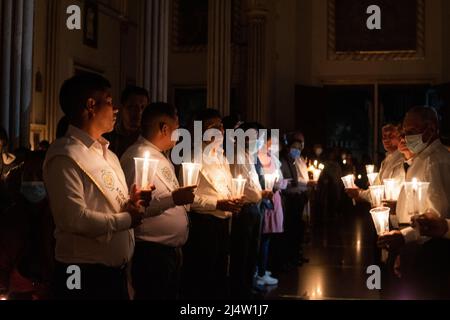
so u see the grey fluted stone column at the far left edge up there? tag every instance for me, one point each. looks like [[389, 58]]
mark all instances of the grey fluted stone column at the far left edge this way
[[16, 69]]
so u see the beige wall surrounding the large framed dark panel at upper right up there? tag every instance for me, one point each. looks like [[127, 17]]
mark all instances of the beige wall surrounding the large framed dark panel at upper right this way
[[301, 58]]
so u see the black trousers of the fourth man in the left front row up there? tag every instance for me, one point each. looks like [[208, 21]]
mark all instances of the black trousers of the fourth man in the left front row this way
[[245, 239]]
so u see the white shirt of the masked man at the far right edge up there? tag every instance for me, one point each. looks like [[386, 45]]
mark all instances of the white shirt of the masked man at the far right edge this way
[[433, 166]]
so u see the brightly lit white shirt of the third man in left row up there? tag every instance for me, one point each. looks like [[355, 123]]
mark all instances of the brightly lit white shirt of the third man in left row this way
[[214, 185]]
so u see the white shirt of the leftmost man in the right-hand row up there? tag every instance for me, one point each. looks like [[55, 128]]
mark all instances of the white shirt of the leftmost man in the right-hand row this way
[[391, 168]]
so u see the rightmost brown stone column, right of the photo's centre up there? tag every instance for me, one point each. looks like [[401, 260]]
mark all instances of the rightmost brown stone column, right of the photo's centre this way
[[257, 71]]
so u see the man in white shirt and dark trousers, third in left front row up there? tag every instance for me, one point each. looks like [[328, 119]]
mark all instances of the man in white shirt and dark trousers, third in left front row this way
[[206, 252]]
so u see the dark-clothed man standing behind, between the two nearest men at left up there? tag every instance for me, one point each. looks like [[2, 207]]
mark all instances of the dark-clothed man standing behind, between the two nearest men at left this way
[[133, 102]]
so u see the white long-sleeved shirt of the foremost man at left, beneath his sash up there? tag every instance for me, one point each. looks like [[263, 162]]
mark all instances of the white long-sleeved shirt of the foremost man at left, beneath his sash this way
[[87, 229]]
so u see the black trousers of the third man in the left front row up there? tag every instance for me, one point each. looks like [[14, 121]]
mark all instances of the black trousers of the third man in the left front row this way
[[204, 272]]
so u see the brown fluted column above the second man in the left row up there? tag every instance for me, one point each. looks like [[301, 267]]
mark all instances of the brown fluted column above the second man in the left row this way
[[156, 49]]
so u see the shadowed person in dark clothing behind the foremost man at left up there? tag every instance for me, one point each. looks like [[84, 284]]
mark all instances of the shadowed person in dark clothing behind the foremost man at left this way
[[26, 237]]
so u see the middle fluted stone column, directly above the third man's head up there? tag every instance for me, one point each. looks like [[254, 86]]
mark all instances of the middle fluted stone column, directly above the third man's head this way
[[219, 55]]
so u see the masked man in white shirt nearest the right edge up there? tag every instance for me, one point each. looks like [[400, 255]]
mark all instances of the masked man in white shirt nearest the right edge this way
[[430, 162]]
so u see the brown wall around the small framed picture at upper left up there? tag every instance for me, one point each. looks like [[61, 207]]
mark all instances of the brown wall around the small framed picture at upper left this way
[[115, 64]]
